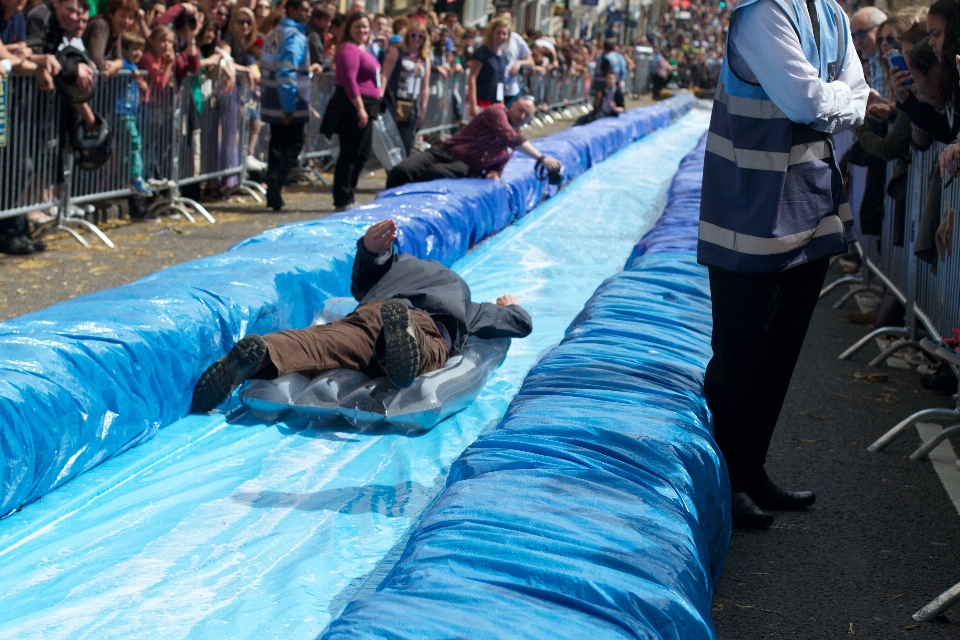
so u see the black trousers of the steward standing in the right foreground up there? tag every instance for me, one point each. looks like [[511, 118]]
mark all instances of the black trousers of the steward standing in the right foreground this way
[[759, 323]]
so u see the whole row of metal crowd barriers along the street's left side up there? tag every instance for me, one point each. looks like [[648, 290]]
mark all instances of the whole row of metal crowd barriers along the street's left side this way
[[198, 132]]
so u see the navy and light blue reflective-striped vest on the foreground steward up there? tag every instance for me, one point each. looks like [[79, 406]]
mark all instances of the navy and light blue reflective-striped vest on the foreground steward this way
[[772, 194]]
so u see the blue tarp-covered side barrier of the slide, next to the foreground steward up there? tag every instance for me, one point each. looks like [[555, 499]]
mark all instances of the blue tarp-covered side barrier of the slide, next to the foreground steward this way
[[598, 508]]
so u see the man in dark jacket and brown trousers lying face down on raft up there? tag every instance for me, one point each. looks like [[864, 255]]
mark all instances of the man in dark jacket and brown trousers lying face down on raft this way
[[413, 315]]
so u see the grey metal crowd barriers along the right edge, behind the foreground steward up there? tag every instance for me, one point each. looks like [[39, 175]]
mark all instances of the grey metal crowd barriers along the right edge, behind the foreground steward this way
[[931, 300]]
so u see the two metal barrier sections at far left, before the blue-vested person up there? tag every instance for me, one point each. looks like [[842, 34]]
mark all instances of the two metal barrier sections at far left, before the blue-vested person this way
[[194, 133]]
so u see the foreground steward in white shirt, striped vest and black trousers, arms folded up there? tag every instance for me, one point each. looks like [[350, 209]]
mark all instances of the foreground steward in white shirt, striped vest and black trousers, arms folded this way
[[774, 211]]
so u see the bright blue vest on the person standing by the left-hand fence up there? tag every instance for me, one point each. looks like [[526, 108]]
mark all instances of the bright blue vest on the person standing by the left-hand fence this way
[[270, 108]]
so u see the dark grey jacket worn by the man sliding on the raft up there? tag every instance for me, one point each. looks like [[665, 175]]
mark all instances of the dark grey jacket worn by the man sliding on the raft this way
[[432, 287]]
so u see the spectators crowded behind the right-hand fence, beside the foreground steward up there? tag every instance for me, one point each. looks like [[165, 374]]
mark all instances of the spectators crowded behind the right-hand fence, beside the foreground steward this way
[[909, 61]]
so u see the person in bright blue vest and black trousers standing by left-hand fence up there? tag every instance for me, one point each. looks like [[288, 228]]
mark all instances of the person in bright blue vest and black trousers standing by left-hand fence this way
[[285, 102]]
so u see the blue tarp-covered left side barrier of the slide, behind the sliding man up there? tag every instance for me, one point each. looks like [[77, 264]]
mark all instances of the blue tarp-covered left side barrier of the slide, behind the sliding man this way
[[88, 378]]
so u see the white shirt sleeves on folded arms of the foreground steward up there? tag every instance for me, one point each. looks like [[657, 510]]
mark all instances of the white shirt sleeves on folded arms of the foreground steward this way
[[766, 41]]
